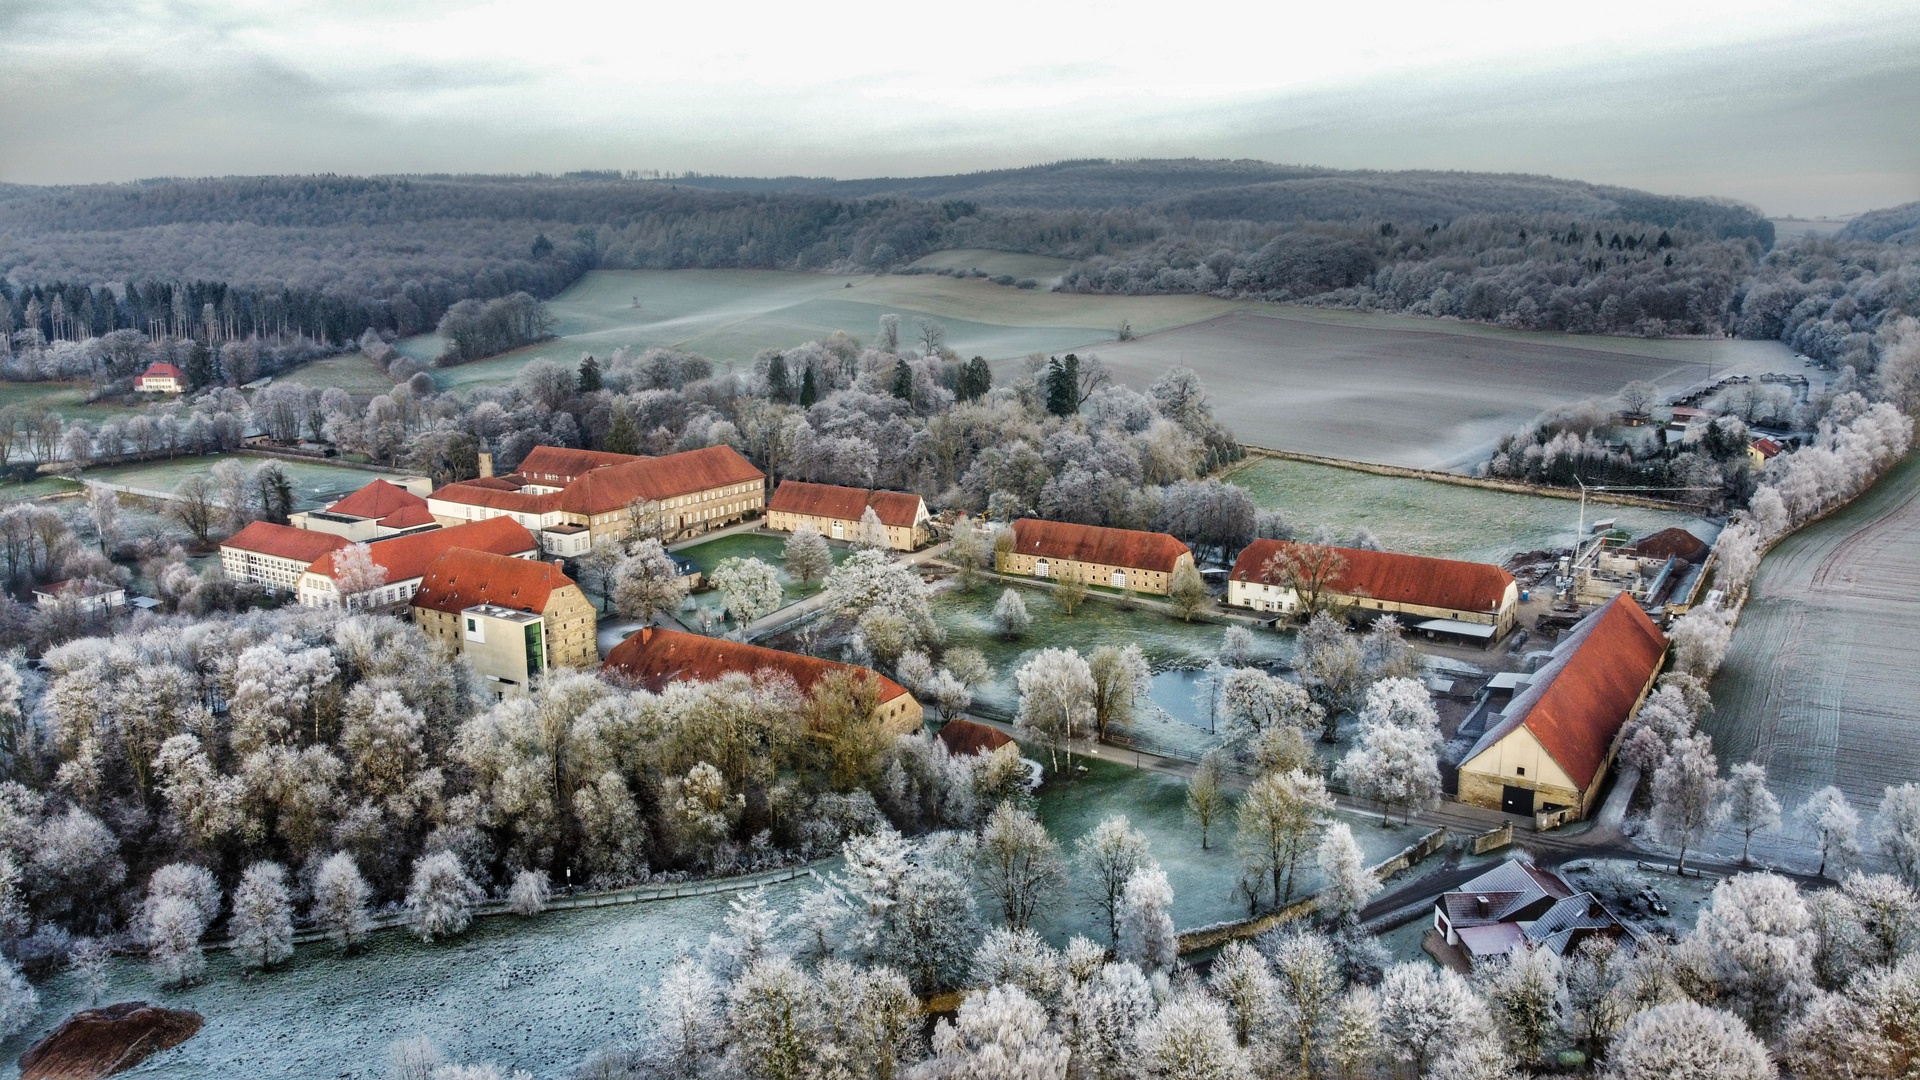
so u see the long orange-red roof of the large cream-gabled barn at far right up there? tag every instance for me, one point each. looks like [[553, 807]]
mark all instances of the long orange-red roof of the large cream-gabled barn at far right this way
[[1577, 704]]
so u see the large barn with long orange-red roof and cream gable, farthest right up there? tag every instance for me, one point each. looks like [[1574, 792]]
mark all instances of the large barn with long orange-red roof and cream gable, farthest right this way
[[1556, 741]]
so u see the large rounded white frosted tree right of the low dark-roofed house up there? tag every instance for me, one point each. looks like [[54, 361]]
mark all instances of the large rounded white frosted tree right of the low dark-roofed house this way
[[1752, 950]]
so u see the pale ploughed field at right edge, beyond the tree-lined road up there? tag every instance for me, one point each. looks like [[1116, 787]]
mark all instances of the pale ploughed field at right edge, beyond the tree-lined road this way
[[1821, 681]]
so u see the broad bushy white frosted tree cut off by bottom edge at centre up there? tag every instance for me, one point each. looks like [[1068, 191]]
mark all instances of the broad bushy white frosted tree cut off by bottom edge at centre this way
[[997, 1035]]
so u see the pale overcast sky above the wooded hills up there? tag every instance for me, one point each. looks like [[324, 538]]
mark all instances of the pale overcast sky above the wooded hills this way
[[1798, 107]]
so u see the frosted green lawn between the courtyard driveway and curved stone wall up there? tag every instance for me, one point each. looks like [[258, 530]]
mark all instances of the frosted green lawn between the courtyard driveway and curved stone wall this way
[[1157, 806]]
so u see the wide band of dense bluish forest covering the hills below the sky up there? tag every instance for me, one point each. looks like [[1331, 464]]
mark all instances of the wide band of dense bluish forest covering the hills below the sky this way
[[329, 258]]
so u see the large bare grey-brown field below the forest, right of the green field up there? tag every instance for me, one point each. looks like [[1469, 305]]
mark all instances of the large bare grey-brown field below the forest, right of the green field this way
[[1429, 395]]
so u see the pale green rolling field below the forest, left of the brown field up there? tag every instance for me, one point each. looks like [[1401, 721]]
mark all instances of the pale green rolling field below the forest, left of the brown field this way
[[731, 316]]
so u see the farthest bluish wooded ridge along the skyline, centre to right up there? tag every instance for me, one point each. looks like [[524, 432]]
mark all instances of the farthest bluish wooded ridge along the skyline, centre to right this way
[[1260, 191]]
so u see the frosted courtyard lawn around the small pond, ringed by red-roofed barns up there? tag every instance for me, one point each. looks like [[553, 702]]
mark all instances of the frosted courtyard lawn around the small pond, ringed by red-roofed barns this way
[[1170, 645]]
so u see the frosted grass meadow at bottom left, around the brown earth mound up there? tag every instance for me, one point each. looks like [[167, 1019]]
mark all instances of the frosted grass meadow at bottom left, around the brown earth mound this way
[[527, 994]]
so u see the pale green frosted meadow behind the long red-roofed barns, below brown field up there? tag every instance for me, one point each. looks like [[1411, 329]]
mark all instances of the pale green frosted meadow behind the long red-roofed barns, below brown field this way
[[1429, 518]]
